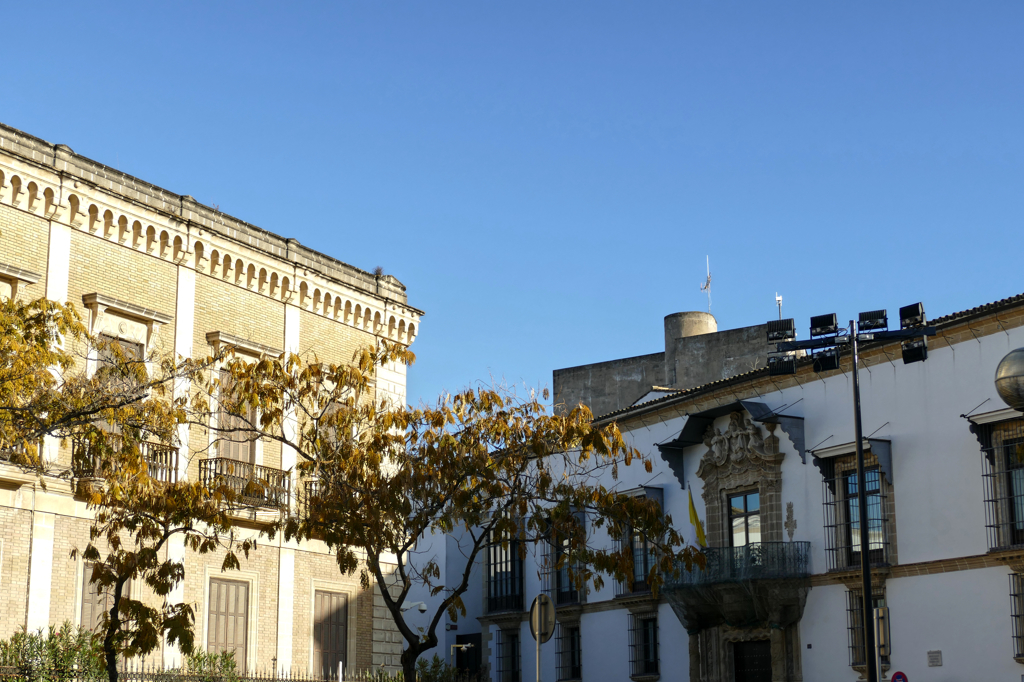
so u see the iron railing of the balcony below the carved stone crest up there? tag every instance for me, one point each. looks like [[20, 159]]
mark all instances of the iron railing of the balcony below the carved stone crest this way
[[757, 562]]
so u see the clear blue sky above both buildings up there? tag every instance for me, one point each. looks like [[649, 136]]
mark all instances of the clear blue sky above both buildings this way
[[548, 178]]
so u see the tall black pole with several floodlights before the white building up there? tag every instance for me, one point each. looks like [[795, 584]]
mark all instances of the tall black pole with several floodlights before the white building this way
[[831, 339]]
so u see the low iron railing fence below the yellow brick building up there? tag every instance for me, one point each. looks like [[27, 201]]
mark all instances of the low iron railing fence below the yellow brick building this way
[[134, 673]]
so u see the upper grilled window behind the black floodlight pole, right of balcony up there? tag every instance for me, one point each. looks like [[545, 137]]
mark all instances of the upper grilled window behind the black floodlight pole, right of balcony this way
[[842, 510]]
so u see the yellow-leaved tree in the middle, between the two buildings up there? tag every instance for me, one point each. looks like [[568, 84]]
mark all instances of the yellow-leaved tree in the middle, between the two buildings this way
[[378, 479]]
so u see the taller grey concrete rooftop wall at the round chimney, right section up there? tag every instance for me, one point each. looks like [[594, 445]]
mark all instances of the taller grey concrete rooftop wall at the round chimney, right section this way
[[702, 360]]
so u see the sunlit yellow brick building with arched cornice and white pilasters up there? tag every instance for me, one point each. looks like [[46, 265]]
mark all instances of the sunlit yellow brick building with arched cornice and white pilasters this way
[[172, 276]]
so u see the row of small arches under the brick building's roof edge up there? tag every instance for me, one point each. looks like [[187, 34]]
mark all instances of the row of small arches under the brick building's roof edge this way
[[222, 266]]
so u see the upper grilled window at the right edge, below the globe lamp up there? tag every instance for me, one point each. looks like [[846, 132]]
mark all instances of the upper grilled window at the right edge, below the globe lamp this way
[[1003, 474]]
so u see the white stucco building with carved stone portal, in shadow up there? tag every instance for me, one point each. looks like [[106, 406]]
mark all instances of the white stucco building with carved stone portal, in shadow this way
[[769, 461]]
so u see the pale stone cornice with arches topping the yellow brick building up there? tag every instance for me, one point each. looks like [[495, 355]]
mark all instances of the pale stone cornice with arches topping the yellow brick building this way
[[53, 183]]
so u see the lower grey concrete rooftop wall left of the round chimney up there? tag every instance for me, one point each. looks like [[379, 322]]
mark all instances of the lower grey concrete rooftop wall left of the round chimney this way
[[606, 388]]
